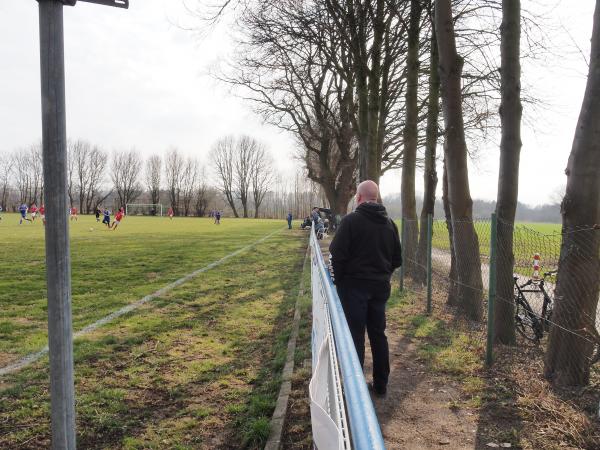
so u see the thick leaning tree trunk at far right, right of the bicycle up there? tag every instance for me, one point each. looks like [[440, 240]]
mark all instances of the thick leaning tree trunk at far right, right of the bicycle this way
[[576, 296]]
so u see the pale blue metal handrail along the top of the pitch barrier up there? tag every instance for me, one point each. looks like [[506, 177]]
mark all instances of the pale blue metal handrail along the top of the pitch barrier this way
[[364, 426]]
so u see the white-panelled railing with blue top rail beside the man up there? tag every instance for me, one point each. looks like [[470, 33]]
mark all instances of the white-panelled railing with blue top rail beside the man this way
[[342, 412]]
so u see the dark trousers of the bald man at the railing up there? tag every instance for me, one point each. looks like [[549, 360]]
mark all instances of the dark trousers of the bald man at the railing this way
[[364, 307]]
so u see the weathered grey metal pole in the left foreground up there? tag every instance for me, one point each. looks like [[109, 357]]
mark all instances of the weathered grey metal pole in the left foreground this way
[[58, 263]]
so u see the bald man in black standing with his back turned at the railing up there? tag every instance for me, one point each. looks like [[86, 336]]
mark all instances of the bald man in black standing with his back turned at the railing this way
[[364, 253]]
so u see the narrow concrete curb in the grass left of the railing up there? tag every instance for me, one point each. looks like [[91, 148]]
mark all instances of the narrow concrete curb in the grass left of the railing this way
[[279, 415]]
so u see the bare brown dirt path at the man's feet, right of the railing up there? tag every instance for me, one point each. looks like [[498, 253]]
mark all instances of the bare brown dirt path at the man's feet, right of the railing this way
[[417, 412]]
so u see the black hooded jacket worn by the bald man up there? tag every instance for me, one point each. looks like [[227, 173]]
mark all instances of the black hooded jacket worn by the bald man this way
[[366, 245]]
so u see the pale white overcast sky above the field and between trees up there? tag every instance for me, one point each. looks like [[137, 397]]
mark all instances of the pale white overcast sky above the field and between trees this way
[[140, 78]]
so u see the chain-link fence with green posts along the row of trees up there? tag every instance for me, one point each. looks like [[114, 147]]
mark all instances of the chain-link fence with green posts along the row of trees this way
[[511, 288]]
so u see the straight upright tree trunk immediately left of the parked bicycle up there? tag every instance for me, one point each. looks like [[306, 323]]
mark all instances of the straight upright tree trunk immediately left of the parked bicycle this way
[[508, 178]]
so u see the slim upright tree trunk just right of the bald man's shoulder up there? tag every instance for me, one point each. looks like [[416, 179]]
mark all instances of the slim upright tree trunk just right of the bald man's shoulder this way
[[409, 156]]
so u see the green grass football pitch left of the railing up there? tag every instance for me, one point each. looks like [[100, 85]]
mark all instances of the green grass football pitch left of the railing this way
[[197, 368]]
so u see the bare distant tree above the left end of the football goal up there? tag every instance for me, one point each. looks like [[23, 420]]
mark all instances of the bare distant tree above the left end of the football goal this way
[[125, 172]]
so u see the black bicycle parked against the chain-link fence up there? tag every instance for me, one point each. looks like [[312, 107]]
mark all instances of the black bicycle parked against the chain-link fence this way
[[528, 323]]
